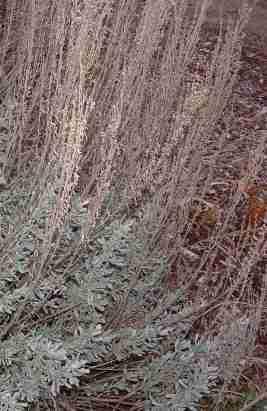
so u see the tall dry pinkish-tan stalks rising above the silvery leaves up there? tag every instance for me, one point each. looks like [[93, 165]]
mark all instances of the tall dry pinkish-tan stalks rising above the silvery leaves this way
[[104, 96]]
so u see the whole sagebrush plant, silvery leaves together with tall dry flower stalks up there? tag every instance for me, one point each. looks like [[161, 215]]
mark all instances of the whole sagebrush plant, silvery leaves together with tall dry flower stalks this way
[[85, 304]]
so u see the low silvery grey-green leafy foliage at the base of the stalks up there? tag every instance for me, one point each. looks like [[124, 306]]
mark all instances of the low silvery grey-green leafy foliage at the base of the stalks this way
[[42, 358]]
